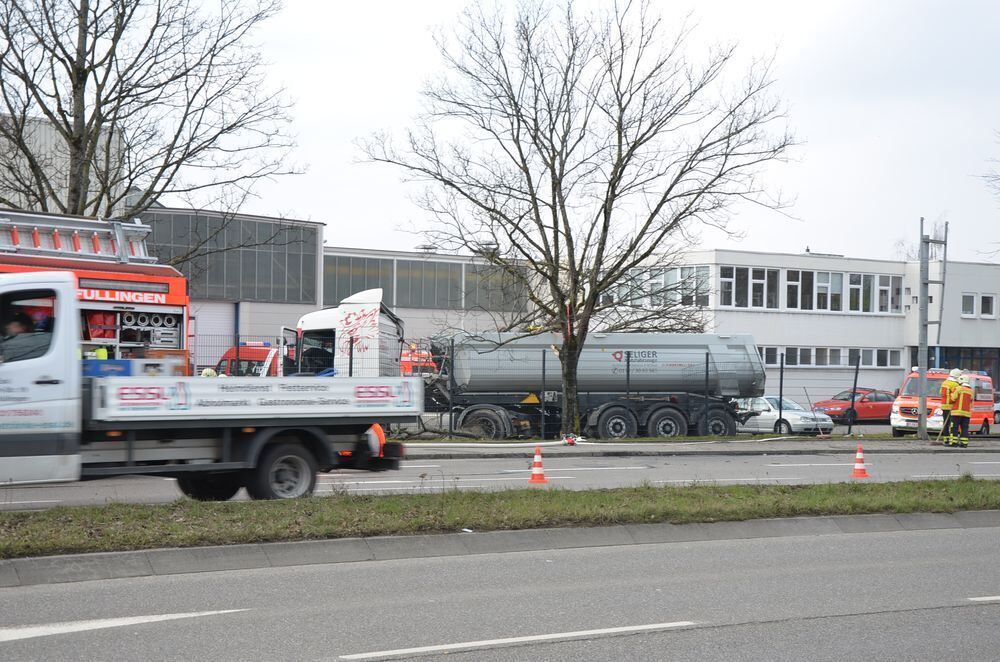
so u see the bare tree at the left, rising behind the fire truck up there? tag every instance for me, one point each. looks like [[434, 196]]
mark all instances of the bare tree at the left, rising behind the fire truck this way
[[108, 105]]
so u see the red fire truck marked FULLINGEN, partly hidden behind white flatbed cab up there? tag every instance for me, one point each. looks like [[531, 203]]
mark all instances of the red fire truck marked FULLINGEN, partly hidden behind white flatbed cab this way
[[132, 307]]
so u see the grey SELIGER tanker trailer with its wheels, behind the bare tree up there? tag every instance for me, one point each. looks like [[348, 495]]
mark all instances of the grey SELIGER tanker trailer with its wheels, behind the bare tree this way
[[629, 384]]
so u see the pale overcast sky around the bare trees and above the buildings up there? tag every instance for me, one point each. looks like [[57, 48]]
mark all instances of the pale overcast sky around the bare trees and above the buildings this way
[[897, 104]]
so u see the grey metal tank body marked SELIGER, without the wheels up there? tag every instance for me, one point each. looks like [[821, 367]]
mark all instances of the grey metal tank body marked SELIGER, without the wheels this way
[[654, 361]]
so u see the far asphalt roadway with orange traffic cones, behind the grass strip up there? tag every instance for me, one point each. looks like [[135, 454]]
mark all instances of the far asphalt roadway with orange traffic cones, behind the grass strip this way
[[563, 472]]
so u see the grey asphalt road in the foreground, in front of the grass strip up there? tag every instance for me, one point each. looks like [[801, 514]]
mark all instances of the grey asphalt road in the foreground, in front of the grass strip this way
[[924, 595]]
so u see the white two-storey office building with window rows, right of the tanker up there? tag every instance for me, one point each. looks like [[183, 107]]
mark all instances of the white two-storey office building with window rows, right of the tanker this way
[[825, 313]]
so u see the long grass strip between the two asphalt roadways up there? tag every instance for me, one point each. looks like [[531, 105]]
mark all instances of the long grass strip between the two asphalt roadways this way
[[186, 523]]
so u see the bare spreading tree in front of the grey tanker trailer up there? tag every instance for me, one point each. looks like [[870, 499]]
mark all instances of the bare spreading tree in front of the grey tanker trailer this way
[[573, 153]]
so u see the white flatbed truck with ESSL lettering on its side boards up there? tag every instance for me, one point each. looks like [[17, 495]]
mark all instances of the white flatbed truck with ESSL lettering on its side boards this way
[[215, 435]]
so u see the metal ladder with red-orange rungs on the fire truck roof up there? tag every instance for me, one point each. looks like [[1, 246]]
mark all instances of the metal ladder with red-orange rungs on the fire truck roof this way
[[52, 235]]
